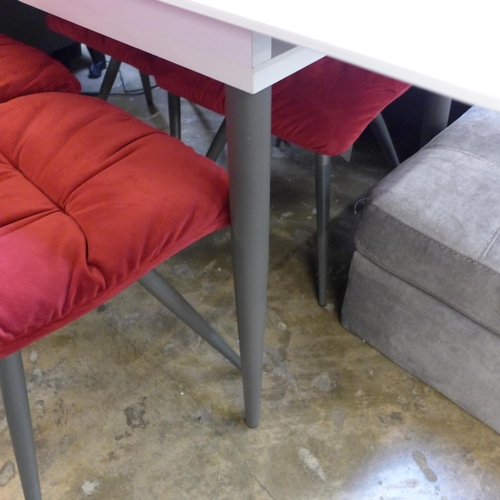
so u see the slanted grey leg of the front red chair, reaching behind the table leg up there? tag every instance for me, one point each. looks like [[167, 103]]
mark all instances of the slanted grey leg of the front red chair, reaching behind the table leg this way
[[173, 300]]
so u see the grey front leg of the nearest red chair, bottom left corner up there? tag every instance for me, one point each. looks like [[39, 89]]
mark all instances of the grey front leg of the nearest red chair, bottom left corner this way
[[16, 405]]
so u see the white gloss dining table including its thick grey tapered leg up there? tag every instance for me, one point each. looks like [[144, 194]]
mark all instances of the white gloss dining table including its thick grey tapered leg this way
[[445, 47]]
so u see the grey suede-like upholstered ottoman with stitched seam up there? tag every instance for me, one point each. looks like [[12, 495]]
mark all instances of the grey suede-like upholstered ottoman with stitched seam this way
[[424, 285]]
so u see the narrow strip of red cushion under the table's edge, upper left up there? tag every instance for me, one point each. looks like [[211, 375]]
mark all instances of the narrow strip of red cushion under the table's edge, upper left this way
[[137, 58]]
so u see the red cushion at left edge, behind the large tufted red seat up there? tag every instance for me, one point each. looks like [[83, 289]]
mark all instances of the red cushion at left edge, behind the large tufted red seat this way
[[25, 70]]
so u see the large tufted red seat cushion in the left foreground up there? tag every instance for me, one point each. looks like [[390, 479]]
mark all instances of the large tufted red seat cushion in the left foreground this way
[[90, 200]]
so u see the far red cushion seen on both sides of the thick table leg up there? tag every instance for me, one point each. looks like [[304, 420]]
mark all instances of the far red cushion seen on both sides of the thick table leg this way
[[324, 107]]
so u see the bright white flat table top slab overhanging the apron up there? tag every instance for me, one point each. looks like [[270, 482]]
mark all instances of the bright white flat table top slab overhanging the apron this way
[[445, 46]]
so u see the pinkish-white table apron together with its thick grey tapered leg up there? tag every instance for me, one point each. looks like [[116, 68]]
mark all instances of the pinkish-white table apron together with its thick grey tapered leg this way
[[248, 63]]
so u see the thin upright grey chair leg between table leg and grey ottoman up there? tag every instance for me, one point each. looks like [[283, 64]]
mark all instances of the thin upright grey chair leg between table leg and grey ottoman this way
[[323, 174]]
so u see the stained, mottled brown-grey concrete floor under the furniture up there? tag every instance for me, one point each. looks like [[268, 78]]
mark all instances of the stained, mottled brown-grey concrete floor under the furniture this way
[[128, 404]]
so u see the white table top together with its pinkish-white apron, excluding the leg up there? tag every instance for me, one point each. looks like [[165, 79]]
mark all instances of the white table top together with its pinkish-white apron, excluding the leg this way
[[447, 47]]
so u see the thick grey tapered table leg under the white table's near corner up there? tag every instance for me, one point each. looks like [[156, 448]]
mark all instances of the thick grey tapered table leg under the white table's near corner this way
[[249, 158]]
